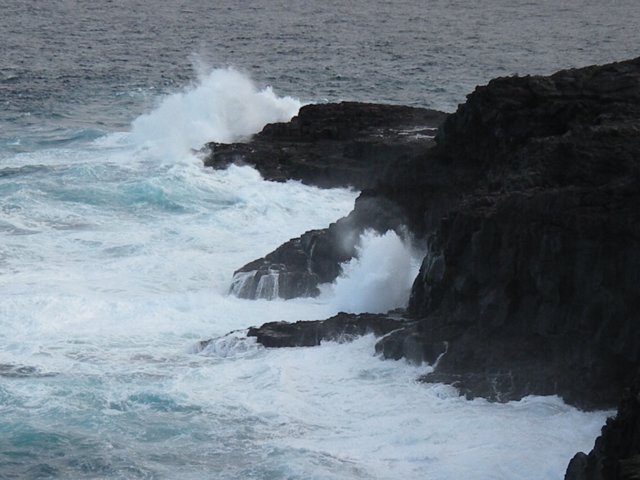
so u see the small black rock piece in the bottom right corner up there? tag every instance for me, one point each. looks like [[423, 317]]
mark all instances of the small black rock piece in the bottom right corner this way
[[616, 454]]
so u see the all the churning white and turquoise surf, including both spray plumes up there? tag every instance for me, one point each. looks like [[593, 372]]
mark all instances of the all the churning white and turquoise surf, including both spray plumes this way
[[116, 254]]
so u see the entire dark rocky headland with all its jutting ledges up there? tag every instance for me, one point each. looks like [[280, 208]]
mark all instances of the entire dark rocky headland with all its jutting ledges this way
[[528, 201]]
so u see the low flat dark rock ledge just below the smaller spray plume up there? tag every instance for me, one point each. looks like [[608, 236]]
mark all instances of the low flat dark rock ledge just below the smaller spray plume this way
[[341, 327]]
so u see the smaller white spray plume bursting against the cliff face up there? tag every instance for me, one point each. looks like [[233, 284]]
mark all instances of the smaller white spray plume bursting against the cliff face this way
[[379, 278]]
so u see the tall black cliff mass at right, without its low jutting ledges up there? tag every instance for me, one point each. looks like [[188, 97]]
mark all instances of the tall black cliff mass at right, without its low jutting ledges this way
[[530, 202]]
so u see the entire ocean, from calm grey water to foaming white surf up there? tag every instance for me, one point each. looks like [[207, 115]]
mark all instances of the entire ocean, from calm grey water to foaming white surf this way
[[117, 247]]
